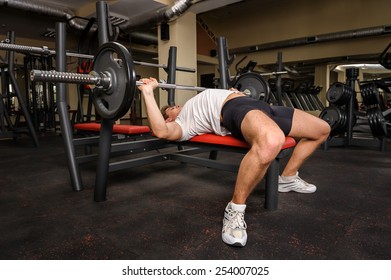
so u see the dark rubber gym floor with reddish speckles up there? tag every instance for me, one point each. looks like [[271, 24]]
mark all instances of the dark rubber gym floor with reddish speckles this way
[[170, 210]]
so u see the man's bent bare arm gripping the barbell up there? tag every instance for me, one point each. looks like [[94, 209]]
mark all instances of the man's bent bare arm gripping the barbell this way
[[161, 129]]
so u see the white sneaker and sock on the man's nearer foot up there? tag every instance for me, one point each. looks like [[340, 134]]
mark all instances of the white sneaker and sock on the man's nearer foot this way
[[234, 227]]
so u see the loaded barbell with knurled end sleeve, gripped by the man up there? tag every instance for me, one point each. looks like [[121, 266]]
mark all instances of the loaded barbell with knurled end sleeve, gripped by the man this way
[[113, 79]]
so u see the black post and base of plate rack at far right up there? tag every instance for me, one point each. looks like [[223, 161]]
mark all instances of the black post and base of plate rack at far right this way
[[347, 138]]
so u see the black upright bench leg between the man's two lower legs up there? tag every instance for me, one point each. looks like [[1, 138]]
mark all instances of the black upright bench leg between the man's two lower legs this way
[[271, 184]]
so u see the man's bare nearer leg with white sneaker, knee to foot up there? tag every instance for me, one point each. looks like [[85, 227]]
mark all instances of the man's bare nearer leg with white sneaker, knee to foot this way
[[266, 140]]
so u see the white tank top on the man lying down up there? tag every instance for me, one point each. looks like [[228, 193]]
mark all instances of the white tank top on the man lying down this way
[[201, 114]]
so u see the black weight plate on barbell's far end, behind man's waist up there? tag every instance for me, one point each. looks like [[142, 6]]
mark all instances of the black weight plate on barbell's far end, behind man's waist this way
[[254, 85]]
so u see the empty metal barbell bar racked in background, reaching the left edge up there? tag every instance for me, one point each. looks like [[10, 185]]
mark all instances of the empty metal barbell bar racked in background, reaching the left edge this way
[[44, 50]]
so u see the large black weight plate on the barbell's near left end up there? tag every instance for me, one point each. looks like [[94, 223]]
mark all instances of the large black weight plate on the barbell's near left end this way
[[114, 60]]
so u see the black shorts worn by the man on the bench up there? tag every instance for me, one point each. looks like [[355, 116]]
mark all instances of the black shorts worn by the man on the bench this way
[[234, 111]]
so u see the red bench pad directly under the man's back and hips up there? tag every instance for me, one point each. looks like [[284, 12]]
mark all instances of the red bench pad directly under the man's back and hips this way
[[232, 141]]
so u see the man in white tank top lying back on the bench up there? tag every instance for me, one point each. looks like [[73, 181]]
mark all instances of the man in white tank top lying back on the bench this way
[[263, 126]]
